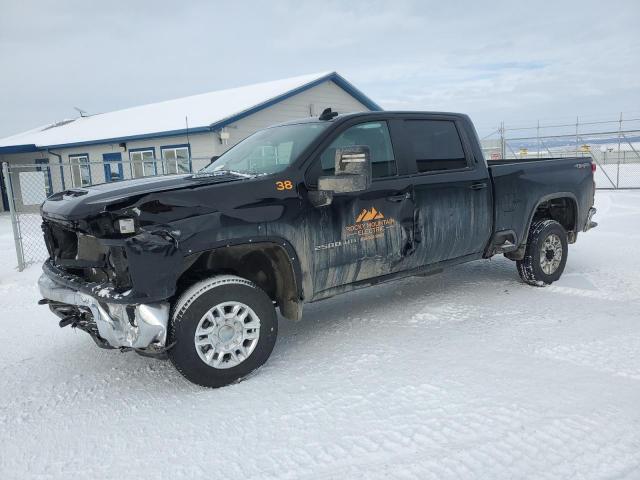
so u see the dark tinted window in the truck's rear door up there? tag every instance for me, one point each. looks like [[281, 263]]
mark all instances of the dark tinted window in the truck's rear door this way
[[436, 145]]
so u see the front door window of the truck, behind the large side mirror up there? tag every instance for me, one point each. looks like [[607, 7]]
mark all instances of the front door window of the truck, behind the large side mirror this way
[[373, 134]]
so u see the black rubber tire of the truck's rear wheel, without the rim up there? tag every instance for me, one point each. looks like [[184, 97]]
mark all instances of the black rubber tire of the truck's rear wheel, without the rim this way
[[530, 268]]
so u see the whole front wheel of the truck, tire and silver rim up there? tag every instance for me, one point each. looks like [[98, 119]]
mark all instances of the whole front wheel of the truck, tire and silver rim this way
[[223, 328]]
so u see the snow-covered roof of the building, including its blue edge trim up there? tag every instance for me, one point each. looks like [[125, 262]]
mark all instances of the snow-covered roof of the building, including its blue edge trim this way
[[202, 111]]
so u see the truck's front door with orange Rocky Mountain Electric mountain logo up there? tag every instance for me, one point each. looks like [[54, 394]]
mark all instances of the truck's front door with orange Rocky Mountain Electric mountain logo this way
[[366, 234]]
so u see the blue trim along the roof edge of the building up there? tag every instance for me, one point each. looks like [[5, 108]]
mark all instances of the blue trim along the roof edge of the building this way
[[333, 76]]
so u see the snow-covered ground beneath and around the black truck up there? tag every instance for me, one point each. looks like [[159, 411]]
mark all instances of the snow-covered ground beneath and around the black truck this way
[[469, 374]]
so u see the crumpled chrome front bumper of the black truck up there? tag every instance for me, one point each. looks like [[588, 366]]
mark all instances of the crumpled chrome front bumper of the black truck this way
[[138, 326]]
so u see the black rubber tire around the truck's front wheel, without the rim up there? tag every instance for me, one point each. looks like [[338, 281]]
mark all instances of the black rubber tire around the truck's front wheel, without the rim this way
[[190, 308]]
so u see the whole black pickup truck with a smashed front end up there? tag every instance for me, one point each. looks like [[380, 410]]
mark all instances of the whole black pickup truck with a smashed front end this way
[[193, 266]]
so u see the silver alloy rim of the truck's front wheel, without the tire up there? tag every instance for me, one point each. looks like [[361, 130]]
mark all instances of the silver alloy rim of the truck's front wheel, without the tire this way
[[227, 334]]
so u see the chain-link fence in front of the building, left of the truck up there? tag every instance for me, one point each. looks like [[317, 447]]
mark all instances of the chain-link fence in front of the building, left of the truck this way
[[28, 185]]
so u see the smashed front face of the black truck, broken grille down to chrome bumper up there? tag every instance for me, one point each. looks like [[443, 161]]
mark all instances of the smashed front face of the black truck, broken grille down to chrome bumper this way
[[87, 282]]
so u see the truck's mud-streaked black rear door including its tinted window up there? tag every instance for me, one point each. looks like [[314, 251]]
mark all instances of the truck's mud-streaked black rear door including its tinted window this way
[[451, 188]]
